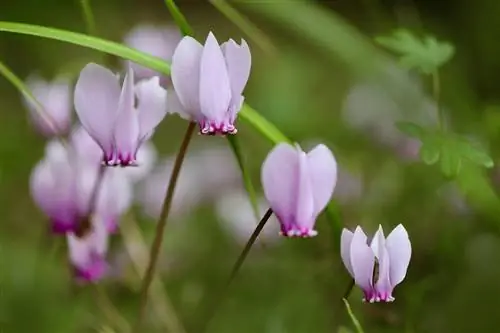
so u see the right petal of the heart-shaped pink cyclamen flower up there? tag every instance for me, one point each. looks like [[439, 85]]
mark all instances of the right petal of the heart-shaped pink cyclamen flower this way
[[323, 176]]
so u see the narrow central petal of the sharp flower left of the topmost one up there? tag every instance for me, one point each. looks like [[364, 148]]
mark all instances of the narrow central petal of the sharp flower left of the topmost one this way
[[127, 124]]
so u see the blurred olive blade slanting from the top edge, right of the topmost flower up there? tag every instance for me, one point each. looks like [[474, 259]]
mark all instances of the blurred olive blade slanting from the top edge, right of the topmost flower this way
[[245, 25]]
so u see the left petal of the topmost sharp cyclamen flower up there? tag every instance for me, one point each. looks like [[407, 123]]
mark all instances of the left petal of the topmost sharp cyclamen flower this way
[[185, 73]]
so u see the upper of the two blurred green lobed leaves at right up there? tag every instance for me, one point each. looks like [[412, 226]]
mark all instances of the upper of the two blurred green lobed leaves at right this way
[[427, 55]]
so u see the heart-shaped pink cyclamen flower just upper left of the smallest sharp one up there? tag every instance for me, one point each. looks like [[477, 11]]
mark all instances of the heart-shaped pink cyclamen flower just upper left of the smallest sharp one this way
[[298, 186]]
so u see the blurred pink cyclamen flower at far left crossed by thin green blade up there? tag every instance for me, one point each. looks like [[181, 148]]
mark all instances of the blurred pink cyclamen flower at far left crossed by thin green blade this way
[[55, 98]]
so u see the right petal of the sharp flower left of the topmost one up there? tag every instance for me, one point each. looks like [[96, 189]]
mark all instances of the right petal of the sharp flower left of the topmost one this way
[[151, 105]]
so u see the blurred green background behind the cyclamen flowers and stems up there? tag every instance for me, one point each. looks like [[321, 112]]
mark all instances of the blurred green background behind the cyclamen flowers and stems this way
[[318, 76]]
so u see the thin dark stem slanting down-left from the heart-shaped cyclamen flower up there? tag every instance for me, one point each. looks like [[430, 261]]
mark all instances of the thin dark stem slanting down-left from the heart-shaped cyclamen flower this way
[[236, 267]]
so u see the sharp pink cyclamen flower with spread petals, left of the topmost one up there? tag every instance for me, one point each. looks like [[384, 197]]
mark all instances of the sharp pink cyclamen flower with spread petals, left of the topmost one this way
[[110, 116]]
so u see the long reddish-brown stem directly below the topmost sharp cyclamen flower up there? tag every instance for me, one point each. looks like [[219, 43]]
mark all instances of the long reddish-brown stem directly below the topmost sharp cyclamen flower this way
[[162, 222]]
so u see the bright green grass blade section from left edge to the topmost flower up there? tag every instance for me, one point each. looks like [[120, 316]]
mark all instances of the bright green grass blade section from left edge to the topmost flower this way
[[95, 43]]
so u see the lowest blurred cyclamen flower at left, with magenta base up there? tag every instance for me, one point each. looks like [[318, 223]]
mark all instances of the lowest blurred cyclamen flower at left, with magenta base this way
[[87, 253]]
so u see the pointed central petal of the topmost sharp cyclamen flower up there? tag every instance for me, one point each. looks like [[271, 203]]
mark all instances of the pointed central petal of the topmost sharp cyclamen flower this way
[[215, 89]]
